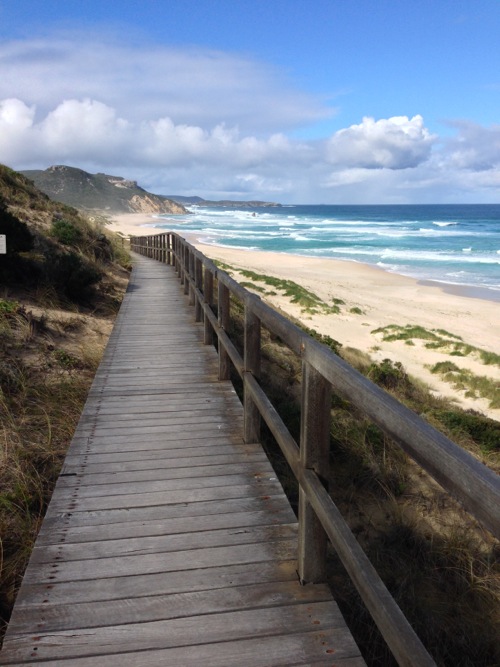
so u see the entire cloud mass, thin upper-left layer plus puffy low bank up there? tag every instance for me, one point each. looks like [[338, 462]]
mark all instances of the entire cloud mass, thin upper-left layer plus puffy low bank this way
[[193, 120]]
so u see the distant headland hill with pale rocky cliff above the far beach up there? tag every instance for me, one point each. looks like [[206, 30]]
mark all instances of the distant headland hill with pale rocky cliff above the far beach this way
[[101, 192]]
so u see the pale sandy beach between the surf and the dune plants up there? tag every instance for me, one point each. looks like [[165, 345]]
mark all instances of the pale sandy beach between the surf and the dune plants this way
[[373, 299]]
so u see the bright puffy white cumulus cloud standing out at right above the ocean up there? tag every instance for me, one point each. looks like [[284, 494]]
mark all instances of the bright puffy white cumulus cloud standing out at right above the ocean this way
[[393, 143]]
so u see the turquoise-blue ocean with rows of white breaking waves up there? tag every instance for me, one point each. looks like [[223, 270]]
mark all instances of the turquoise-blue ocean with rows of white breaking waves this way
[[453, 244]]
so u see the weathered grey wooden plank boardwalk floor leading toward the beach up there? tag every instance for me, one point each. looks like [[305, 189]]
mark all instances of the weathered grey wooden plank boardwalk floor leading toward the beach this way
[[168, 541]]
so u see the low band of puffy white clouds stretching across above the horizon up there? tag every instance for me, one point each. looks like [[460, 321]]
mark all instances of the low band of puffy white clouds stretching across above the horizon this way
[[391, 160]]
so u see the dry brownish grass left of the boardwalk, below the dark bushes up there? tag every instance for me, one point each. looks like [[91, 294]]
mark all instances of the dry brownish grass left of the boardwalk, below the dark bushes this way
[[48, 358]]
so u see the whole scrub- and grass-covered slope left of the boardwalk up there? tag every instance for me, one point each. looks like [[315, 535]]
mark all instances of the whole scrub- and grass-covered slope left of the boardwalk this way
[[61, 284]]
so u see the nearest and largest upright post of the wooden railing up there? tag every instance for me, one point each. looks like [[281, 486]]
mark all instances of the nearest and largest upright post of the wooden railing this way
[[314, 455]]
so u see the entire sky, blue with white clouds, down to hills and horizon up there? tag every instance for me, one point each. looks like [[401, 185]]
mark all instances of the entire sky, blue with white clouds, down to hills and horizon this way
[[337, 101]]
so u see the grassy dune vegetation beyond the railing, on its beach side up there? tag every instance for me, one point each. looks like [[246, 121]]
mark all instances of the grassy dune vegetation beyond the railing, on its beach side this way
[[440, 566]]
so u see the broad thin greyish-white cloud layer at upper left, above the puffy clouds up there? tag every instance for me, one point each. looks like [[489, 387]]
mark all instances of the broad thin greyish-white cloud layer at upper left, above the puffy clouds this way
[[145, 82]]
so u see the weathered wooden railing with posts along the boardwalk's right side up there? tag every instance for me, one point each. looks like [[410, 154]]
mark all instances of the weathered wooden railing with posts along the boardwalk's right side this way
[[469, 481]]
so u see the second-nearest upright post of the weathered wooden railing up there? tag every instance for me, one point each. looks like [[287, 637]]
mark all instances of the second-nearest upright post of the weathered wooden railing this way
[[251, 364]]
